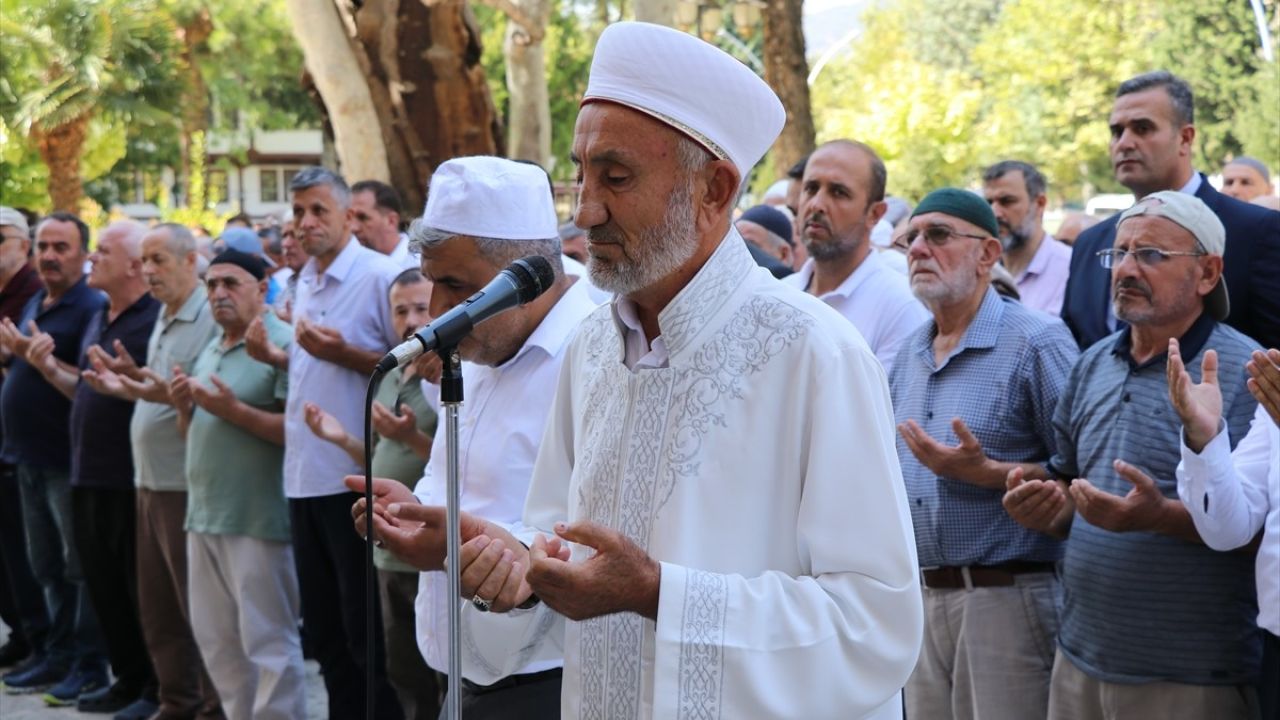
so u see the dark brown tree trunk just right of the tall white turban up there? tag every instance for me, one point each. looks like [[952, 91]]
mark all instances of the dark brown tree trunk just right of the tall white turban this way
[[788, 74]]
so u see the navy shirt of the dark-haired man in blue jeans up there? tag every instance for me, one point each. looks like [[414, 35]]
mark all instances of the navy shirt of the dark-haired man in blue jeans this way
[[35, 413]]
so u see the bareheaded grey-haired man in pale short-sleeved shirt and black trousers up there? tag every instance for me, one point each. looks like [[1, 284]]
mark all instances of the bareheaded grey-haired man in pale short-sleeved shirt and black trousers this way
[[342, 327]]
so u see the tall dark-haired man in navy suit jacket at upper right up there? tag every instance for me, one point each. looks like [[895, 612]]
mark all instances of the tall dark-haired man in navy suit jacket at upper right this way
[[1153, 134]]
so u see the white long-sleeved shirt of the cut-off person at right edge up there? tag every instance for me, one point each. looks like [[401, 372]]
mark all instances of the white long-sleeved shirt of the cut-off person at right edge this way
[[1233, 495]]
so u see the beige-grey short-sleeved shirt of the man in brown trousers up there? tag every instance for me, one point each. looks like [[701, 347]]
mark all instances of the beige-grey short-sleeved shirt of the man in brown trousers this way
[[159, 449]]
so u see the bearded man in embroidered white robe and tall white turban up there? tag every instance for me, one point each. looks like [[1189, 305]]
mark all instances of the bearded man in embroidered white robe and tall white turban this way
[[717, 525]]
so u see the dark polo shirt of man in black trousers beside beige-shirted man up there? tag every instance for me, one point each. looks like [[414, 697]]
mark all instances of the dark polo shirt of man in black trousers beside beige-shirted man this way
[[102, 455]]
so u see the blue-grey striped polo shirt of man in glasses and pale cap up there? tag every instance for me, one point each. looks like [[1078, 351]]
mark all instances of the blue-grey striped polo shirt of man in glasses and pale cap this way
[[1142, 608]]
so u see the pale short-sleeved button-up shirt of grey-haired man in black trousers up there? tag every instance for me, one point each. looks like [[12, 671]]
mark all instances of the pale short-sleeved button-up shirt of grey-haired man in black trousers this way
[[351, 298]]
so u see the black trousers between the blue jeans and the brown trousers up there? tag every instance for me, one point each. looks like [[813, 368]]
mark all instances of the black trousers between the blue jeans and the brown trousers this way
[[106, 525]]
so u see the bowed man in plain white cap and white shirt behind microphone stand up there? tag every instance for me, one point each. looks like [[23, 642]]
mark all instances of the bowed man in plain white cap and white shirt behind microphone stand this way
[[482, 215]]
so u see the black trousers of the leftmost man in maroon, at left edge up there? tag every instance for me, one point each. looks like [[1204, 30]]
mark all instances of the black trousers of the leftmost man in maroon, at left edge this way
[[22, 601]]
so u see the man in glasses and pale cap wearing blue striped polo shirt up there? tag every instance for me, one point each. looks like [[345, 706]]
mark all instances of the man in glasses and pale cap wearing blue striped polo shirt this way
[[1154, 623]]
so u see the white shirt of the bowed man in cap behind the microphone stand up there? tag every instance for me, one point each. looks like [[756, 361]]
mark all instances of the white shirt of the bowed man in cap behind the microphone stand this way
[[501, 427]]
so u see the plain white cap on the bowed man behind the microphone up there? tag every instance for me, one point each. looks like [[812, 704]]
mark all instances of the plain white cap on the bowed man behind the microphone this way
[[486, 197]]
